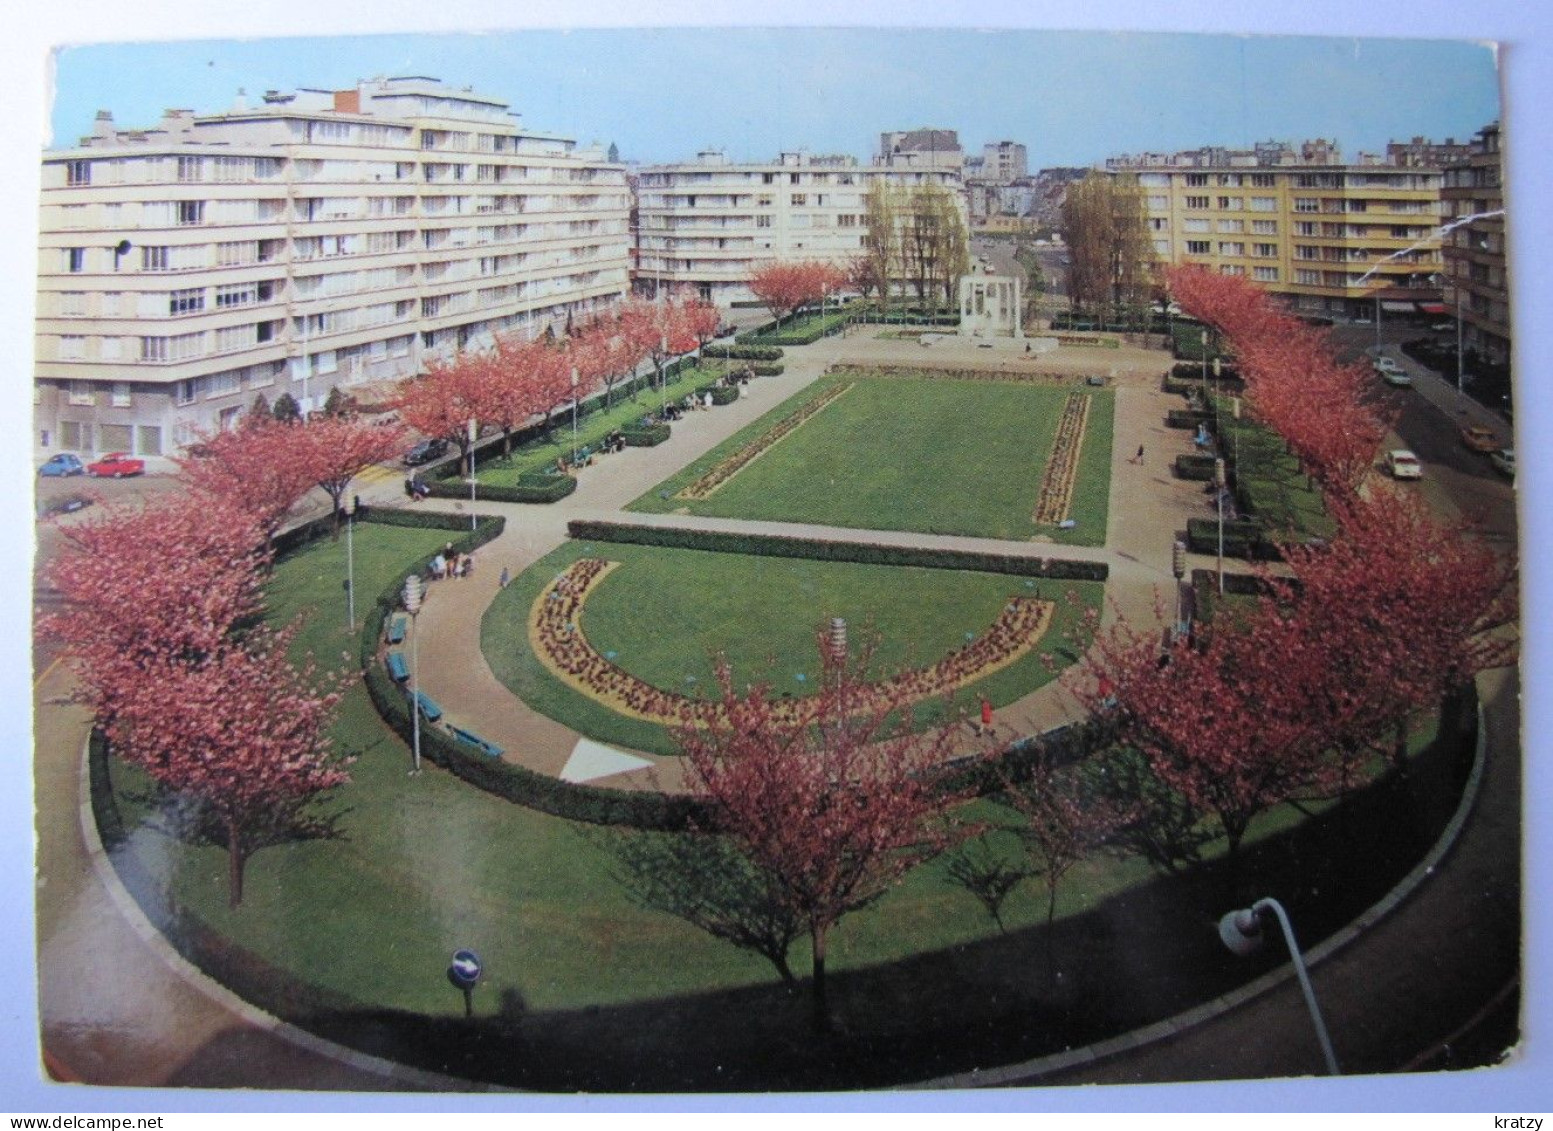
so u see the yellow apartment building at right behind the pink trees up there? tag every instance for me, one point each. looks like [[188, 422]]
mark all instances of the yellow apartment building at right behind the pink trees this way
[[1333, 238]]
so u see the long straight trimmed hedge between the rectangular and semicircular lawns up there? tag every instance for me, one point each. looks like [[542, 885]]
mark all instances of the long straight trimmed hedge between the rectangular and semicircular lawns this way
[[867, 554]]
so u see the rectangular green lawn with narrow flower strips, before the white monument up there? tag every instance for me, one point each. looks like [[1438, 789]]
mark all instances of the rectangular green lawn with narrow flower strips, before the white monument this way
[[933, 456]]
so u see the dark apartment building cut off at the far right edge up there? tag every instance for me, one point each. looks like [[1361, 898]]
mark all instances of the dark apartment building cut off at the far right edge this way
[[1478, 288]]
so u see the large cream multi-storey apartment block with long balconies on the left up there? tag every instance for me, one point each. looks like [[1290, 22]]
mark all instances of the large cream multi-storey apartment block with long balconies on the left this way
[[316, 240]]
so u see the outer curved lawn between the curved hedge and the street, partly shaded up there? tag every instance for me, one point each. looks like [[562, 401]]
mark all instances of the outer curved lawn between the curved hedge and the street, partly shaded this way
[[358, 931]]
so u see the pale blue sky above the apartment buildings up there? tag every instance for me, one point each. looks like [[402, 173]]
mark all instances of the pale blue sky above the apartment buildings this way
[[1071, 97]]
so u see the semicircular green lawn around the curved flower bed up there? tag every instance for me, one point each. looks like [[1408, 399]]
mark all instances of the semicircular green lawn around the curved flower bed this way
[[665, 614]]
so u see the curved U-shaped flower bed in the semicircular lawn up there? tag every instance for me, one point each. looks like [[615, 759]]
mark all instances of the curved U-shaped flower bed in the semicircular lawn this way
[[555, 633]]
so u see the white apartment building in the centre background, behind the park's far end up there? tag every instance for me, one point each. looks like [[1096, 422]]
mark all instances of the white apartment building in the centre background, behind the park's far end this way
[[710, 223]]
